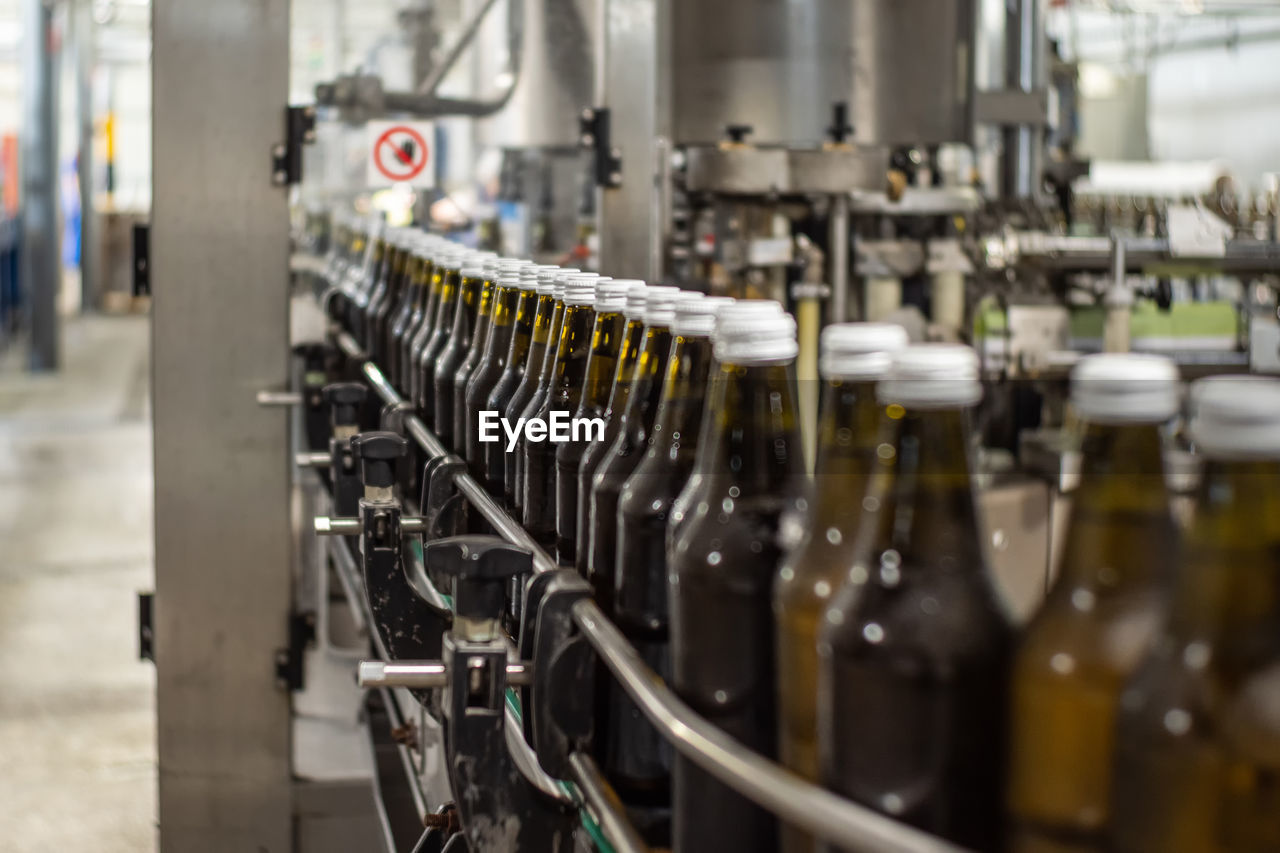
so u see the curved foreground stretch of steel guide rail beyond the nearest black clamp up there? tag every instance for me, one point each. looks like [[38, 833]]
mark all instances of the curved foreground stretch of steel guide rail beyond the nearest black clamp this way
[[765, 783]]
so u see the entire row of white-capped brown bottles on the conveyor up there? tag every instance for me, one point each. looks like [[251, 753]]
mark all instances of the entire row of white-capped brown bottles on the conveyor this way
[[848, 624]]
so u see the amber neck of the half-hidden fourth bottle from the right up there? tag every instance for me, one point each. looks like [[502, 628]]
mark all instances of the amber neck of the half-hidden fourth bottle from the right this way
[[848, 435]]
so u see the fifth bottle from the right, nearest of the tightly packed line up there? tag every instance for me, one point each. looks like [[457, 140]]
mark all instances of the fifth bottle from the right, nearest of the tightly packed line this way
[[723, 568]]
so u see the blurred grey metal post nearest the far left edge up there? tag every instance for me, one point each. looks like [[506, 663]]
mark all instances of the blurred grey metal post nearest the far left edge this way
[[42, 264]]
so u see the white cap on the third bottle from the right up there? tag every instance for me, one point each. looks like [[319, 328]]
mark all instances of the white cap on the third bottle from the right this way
[[932, 376]]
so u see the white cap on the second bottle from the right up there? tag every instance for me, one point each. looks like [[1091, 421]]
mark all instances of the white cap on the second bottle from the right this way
[[1123, 389]]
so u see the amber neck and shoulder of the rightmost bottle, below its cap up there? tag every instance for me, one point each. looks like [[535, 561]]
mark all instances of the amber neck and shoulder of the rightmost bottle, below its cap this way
[[1229, 590]]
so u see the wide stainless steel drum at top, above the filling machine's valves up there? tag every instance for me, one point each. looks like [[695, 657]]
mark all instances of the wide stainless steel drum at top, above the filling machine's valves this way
[[904, 67]]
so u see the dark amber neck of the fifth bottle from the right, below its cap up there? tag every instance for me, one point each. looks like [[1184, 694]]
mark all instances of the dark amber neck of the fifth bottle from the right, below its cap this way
[[752, 440]]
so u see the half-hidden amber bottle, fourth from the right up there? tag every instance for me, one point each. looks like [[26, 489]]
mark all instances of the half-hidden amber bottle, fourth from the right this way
[[854, 357]]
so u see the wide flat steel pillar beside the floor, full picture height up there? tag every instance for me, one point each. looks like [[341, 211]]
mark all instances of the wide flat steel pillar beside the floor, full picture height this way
[[220, 271]]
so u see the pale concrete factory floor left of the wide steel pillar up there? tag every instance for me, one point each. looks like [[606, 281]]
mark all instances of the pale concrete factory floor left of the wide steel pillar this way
[[77, 708]]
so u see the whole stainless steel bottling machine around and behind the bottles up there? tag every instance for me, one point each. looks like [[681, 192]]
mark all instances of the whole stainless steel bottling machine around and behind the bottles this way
[[812, 153]]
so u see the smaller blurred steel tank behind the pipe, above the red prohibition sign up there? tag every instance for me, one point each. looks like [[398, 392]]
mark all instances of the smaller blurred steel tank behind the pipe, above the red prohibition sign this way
[[557, 74]]
